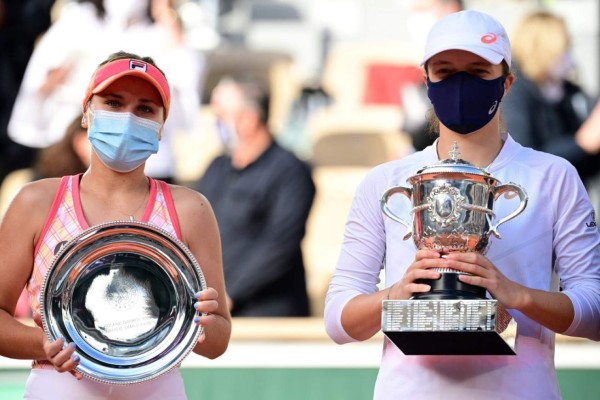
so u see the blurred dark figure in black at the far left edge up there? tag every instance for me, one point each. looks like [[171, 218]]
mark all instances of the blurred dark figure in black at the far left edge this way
[[21, 23]]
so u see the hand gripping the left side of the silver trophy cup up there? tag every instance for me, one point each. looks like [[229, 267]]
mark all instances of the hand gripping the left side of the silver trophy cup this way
[[406, 287]]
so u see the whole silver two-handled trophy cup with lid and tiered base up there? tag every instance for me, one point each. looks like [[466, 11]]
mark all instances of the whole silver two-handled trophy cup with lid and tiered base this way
[[452, 210]]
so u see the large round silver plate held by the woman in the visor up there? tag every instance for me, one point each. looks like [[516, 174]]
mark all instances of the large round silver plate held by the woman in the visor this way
[[124, 293]]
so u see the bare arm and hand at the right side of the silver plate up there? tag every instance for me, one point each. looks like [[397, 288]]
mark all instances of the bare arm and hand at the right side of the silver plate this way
[[200, 233]]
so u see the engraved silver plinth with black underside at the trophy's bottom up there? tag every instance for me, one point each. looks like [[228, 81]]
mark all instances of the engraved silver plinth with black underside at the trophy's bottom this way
[[447, 327]]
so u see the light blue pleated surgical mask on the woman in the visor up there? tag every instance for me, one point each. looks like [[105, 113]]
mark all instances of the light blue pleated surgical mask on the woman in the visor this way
[[122, 140]]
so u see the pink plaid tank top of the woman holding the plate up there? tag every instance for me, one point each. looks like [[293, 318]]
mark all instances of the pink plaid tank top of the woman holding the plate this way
[[66, 220]]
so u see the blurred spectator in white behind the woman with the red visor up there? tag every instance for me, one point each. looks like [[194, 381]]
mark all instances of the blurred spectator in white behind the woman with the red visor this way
[[83, 34]]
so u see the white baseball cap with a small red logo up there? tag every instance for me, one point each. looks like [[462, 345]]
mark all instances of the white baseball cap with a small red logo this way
[[472, 31]]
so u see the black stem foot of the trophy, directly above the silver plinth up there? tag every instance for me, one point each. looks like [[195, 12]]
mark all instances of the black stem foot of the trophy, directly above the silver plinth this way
[[448, 287]]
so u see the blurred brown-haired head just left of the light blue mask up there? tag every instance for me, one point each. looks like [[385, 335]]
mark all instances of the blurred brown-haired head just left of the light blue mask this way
[[69, 156]]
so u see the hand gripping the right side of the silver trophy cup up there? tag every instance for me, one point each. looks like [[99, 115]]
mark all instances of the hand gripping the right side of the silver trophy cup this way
[[485, 274]]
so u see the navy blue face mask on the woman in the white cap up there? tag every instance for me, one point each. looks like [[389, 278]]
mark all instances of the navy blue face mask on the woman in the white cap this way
[[465, 103]]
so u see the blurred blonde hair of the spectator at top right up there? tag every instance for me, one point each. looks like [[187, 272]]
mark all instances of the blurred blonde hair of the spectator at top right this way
[[539, 40]]
